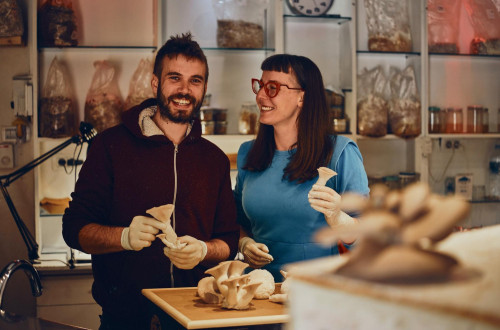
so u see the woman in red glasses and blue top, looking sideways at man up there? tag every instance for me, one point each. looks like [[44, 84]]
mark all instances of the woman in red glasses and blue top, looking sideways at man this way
[[279, 206]]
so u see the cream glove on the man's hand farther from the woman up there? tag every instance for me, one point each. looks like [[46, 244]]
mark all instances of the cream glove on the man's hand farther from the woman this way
[[140, 233]]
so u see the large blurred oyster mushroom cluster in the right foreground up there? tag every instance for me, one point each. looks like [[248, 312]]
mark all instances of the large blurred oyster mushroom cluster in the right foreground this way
[[396, 234]]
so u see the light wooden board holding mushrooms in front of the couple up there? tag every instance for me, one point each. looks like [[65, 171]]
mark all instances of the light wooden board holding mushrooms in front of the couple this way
[[192, 313]]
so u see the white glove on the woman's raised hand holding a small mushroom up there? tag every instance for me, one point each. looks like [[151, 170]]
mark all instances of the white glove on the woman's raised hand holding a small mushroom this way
[[327, 201]]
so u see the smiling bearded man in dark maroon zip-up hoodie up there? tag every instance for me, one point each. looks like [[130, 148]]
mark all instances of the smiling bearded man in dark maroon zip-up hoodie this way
[[155, 157]]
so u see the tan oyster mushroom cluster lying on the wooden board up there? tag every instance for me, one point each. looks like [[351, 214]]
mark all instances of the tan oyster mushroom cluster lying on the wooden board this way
[[228, 287]]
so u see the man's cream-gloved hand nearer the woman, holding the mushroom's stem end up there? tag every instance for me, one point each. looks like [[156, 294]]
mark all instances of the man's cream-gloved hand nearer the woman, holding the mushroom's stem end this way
[[190, 255]]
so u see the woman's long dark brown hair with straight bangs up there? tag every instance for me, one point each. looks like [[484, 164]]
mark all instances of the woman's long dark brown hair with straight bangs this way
[[314, 144]]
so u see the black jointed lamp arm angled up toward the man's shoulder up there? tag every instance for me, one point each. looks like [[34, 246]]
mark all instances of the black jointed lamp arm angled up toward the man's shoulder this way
[[87, 133]]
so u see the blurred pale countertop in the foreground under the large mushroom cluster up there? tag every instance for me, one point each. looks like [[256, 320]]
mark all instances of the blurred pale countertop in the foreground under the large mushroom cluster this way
[[473, 293]]
